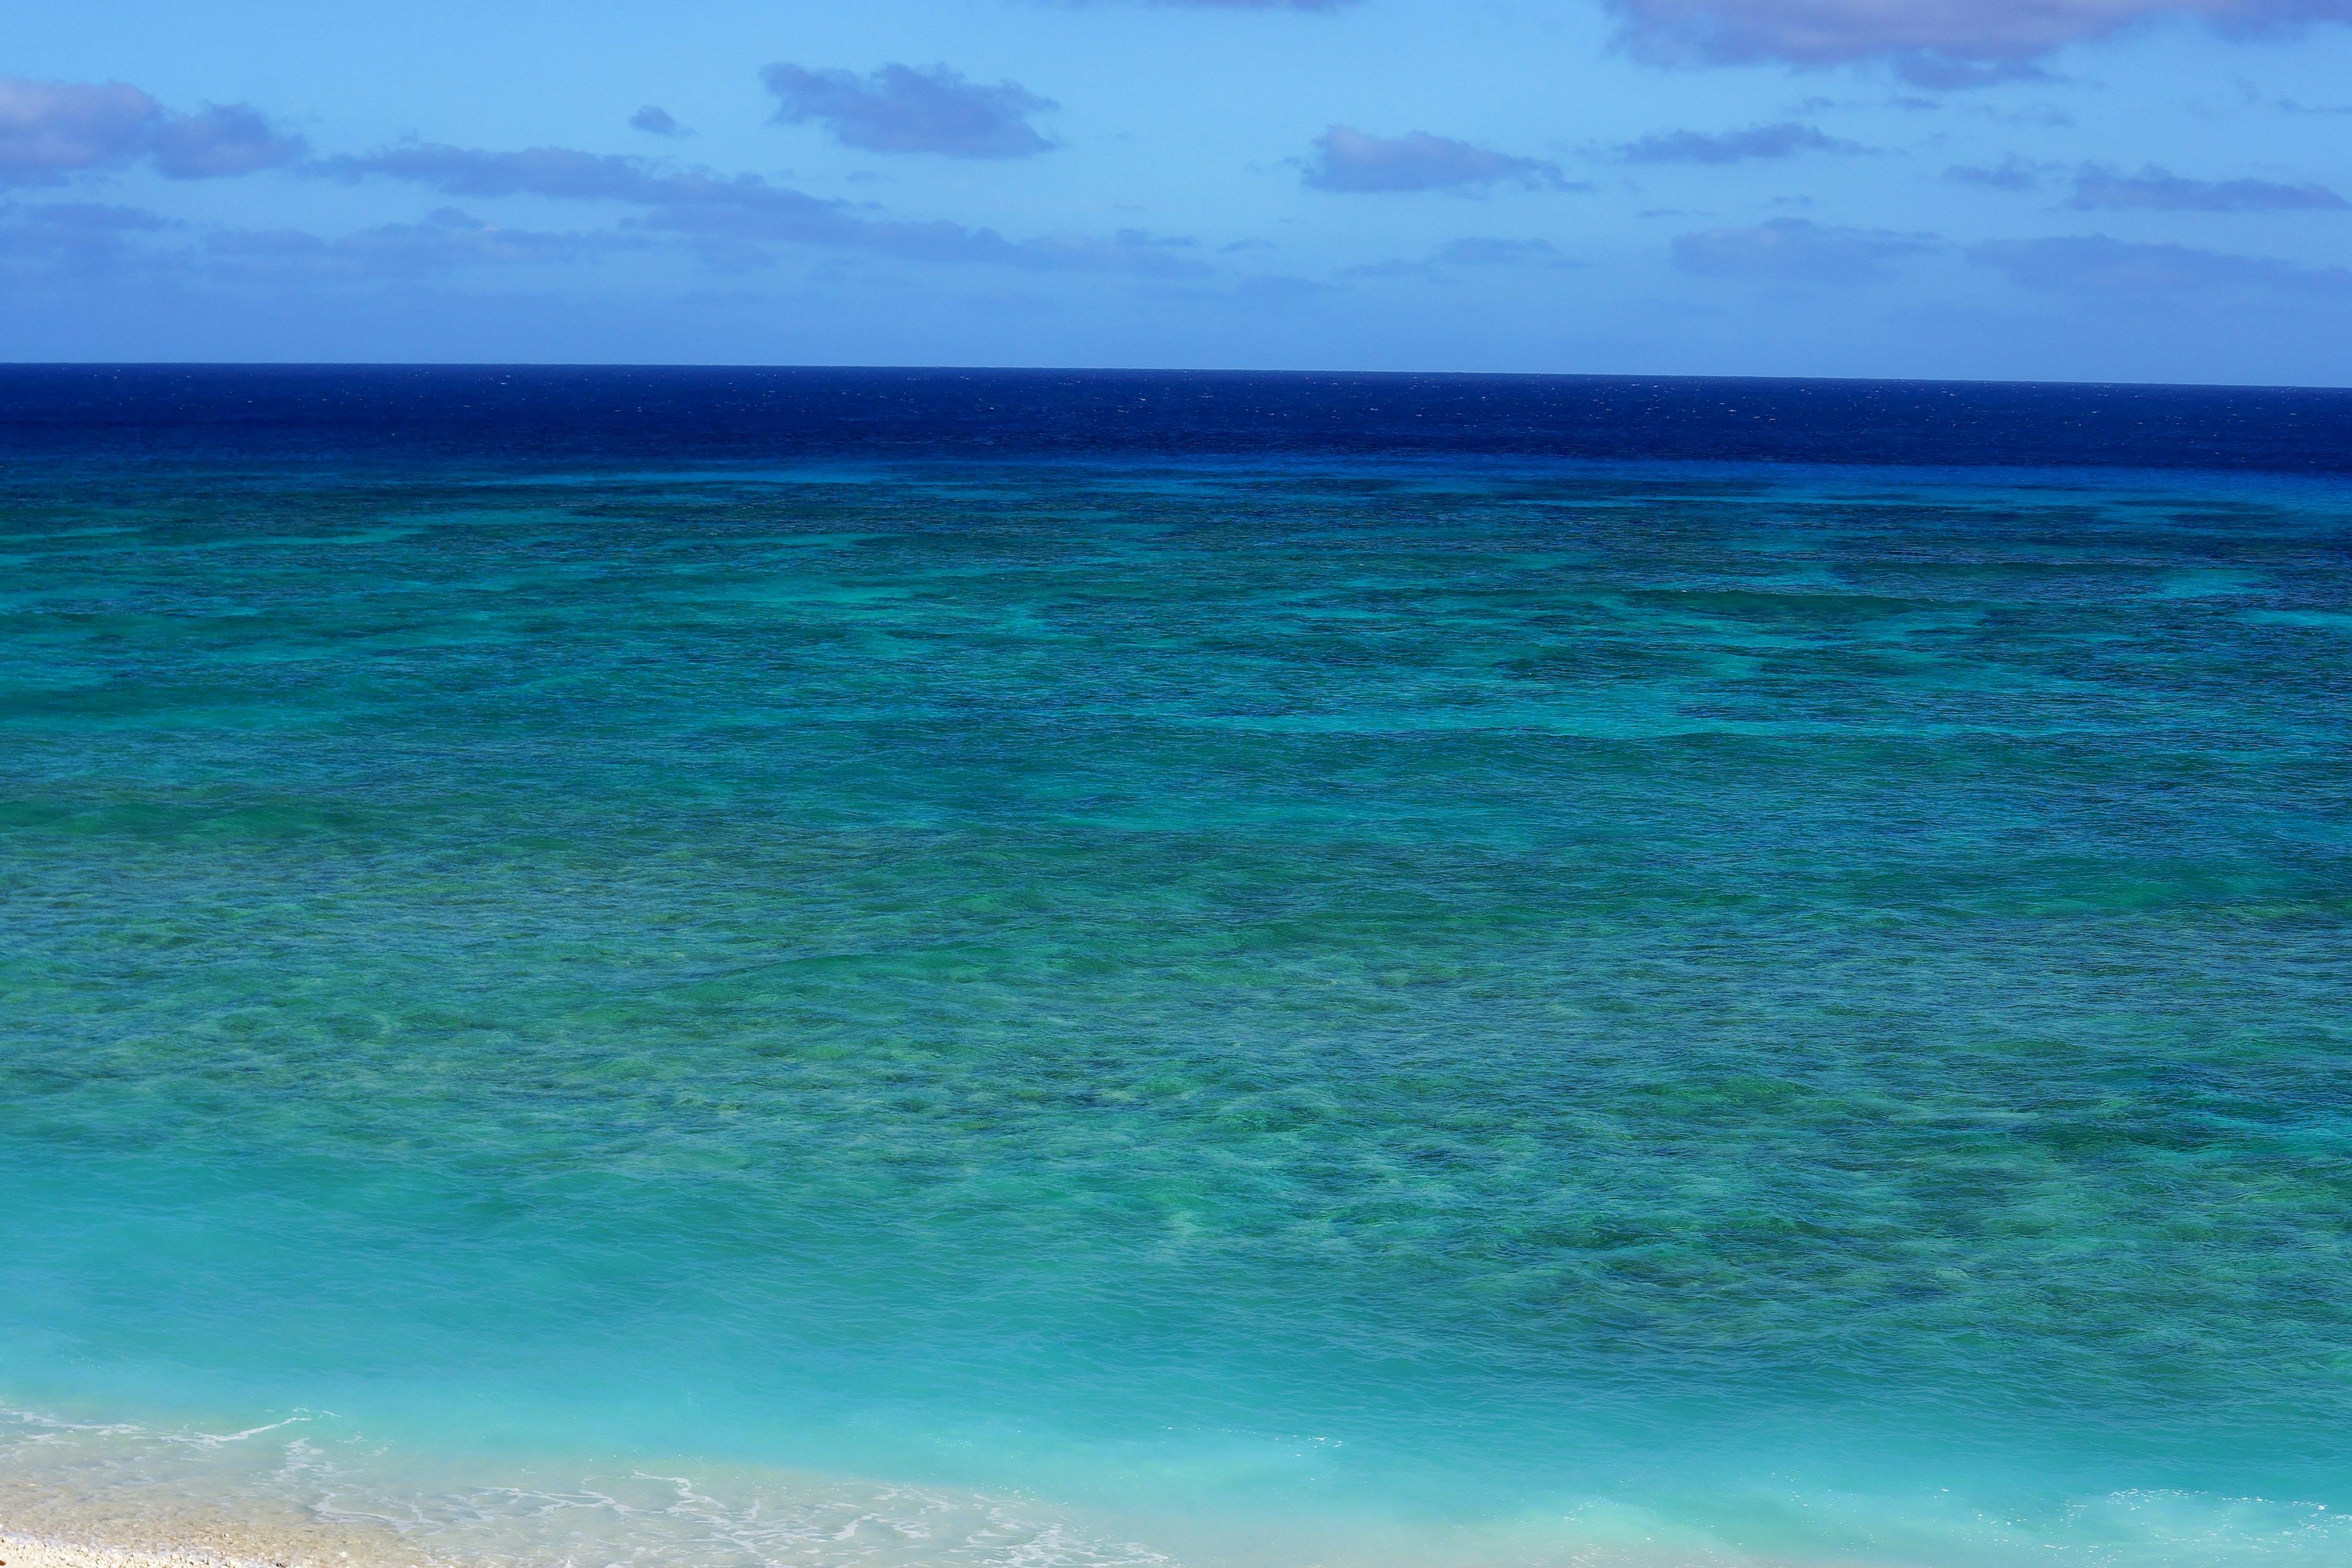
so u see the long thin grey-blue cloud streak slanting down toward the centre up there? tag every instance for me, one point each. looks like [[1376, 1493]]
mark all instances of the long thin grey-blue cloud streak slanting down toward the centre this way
[[733, 215]]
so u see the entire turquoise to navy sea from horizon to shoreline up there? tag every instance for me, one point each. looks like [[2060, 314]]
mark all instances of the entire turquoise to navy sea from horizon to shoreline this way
[[1013, 970]]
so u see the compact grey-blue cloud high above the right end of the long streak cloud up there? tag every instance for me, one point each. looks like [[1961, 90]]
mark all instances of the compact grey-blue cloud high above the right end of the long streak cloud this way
[[900, 109]]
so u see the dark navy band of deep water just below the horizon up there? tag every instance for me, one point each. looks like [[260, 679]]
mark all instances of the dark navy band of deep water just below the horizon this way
[[683, 415]]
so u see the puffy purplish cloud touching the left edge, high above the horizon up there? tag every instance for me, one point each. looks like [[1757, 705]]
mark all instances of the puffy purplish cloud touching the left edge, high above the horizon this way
[[58, 130]]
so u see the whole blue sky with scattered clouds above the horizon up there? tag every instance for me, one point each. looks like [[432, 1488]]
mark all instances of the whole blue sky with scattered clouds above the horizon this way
[[1937, 189]]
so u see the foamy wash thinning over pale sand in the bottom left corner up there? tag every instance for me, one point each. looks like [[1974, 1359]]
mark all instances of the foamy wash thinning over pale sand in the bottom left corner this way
[[305, 1492]]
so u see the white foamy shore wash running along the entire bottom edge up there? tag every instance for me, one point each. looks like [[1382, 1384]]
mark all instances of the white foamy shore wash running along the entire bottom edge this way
[[309, 1492]]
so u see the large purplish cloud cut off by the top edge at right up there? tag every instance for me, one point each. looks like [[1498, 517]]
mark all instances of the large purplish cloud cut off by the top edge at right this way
[[1935, 43]]
